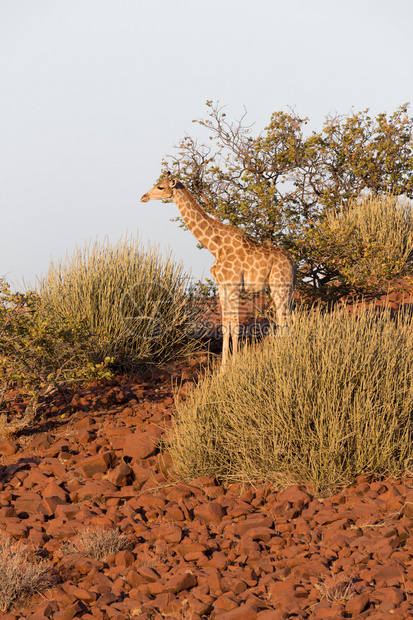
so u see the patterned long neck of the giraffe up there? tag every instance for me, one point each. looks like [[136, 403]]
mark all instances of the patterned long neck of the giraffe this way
[[201, 225]]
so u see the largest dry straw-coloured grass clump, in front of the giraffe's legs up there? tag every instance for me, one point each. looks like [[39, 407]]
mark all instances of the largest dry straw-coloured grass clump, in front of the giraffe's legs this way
[[327, 401]]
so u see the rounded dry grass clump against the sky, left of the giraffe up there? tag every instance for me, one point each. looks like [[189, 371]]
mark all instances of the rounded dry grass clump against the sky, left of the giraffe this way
[[132, 299]]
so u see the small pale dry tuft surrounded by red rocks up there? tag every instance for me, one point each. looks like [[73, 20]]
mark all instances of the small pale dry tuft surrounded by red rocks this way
[[97, 544]]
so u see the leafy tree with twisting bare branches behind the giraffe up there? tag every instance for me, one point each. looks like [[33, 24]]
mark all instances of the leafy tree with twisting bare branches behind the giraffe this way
[[280, 185]]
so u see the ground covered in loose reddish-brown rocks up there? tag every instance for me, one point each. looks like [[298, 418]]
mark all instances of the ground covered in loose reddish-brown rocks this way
[[193, 549]]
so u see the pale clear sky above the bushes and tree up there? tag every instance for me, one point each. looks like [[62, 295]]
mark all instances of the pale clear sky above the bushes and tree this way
[[95, 93]]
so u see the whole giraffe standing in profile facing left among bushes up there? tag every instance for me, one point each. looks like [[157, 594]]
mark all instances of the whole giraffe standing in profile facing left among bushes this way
[[241, 264]]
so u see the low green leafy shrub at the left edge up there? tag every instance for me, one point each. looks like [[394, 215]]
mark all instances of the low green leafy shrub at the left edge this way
[[39, 348]]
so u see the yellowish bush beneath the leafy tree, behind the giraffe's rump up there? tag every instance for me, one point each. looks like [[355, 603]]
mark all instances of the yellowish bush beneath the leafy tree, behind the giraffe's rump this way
[[359, 249]]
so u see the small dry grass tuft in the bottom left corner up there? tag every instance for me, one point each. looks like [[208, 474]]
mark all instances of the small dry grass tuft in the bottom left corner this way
[[20, 578]]
